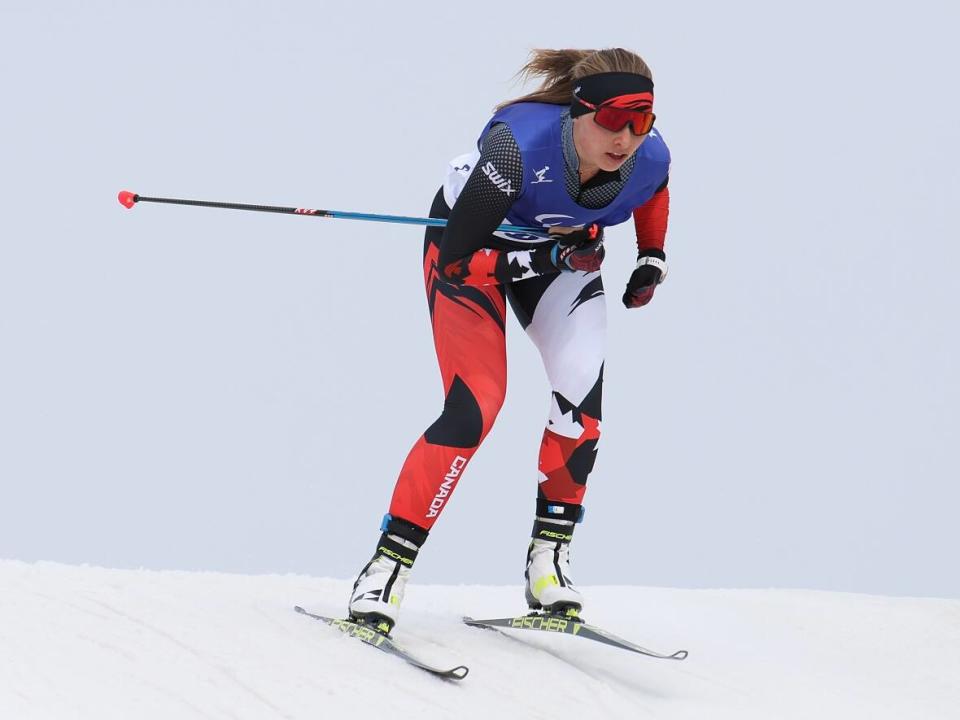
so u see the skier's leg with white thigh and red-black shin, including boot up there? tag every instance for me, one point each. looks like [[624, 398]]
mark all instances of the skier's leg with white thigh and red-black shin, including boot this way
[[565, 316]]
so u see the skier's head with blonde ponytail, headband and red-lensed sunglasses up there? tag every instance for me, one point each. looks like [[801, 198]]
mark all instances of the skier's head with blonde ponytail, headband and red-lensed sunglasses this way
[[610, 93]]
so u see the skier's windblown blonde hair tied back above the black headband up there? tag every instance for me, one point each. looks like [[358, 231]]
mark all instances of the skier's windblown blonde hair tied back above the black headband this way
[[560, 69]]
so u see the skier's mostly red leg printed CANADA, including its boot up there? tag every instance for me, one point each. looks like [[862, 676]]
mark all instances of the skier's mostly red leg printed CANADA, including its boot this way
[[468, 332]]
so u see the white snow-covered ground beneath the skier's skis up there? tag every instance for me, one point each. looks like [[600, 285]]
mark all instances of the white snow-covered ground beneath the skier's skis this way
[[85, 642]]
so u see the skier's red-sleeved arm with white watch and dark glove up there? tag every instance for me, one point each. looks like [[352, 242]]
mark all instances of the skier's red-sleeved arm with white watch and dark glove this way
[[650, 221]]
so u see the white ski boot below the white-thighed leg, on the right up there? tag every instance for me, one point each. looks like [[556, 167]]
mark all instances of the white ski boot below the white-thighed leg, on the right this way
[[548, 585]]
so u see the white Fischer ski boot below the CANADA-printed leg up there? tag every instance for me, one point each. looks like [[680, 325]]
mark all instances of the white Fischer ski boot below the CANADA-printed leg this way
[[377, 593]]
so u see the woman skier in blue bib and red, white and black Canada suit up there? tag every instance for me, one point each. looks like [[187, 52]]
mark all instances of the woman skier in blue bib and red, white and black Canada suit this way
[[575, 156]]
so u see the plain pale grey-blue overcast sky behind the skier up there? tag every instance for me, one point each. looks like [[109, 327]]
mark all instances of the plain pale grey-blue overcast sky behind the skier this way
[[215, 390]]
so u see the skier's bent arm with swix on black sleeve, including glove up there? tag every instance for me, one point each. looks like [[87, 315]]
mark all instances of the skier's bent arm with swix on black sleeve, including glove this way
[[465, 255]]
